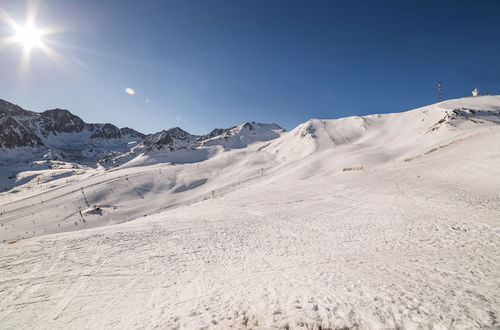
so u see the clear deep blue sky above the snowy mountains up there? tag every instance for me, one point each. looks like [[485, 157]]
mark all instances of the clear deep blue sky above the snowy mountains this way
[[205, 64]]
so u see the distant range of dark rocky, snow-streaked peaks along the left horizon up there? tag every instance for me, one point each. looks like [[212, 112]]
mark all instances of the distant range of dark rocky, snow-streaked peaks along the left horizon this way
[[59, 134]]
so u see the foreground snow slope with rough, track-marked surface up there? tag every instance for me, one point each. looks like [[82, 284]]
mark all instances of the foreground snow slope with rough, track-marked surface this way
[[330, 258]]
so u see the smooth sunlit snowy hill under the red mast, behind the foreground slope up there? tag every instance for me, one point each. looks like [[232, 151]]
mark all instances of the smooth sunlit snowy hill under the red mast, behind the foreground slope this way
[[378, 140]]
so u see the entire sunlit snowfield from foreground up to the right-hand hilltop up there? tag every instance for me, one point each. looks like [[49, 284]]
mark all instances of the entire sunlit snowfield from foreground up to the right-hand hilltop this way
[[375, 222]]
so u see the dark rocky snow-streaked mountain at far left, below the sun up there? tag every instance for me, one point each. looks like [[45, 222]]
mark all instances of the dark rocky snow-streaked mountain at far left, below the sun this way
[[32, 134]]
